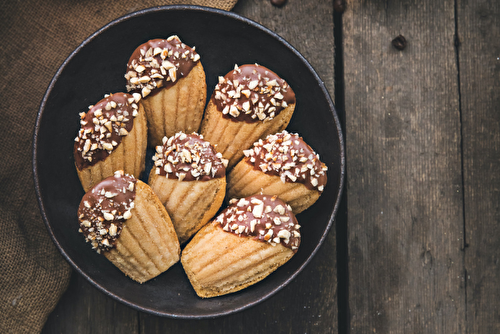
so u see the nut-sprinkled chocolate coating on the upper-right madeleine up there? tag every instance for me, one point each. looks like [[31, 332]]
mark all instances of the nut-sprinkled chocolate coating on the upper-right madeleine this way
[[252, 93]]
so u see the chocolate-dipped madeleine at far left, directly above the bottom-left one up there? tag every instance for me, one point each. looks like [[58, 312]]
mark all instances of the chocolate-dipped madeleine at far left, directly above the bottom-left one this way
[[112, 137]]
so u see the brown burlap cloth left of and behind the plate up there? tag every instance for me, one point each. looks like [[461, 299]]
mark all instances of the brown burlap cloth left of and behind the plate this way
[[35, 38]]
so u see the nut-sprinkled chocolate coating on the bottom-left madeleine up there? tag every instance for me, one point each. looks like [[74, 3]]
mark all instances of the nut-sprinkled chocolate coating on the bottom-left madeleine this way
[[104, 209]]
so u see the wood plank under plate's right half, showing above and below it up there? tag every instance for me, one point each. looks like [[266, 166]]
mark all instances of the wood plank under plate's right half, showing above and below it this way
[[308, 304]]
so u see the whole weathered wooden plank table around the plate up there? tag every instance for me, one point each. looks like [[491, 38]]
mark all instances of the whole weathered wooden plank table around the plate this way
[[416, 244]]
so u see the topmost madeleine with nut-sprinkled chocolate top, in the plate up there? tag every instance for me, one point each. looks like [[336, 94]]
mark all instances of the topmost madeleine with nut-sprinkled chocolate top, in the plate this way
[[169, 77]]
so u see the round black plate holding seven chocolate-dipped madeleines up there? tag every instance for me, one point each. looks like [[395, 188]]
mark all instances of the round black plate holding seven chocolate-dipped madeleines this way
[[97, 66]]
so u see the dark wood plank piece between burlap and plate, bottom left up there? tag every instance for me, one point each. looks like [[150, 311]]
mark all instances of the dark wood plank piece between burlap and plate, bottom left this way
[[84, 309]]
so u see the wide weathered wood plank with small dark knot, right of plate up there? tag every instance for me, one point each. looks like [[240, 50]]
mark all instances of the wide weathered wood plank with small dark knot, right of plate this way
[[404, 168]]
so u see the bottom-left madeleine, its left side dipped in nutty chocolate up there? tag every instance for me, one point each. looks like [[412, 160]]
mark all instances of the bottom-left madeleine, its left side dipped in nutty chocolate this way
[[124, 220]]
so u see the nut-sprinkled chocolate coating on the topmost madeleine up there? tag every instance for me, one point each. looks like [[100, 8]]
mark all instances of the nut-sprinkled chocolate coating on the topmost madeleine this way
[[159, 63]]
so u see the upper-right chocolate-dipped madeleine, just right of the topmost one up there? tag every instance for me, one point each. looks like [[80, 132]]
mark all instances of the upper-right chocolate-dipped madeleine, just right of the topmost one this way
[[249, 103]]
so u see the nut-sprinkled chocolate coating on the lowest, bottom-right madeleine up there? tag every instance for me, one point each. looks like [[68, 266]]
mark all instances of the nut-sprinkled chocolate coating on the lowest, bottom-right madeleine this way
[[266, 218]]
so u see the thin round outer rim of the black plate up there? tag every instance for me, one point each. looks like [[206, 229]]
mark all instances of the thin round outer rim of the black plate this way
[[245, 21]]
